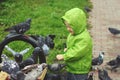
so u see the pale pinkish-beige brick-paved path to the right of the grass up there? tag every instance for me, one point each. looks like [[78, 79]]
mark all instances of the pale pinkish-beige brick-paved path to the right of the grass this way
[[106, 13]]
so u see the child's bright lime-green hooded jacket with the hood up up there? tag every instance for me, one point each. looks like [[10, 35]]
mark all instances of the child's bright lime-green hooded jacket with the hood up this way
[[78, 56]]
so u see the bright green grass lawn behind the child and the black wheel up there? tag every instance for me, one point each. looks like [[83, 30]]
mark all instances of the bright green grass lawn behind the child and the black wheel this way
[[46, 18]]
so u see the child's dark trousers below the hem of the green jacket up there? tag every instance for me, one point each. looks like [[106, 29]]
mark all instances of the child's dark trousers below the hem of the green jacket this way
[[71, 76]]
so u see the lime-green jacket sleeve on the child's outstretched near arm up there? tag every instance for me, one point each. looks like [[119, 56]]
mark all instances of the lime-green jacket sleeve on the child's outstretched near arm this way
[[79, 50]]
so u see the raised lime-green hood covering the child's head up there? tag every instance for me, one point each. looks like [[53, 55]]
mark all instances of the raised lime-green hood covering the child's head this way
[[77, 20]]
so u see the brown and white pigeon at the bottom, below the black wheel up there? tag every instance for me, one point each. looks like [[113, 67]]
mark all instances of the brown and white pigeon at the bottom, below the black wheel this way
[[31, 72]]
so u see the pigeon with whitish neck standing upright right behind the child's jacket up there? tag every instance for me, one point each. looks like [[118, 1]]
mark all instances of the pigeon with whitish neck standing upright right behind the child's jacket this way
[[98, 60]]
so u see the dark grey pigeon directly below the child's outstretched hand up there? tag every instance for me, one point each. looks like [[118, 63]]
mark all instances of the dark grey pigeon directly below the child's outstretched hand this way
[[56, 67]]
